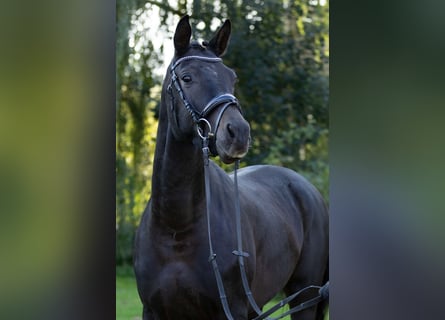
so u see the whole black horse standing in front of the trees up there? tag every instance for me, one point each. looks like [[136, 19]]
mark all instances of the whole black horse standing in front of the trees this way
[[284, 218]]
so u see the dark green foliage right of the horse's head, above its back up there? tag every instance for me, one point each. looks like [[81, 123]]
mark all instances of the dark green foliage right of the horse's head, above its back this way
[[281, 60]]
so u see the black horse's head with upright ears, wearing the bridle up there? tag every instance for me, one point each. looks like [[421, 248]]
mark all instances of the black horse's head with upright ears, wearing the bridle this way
[[201, 90]]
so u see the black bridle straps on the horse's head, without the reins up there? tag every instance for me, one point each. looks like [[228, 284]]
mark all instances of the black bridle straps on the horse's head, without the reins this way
[[224, 101]]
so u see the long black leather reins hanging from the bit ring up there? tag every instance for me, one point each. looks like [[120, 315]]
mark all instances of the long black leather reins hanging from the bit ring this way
[[323, 292]]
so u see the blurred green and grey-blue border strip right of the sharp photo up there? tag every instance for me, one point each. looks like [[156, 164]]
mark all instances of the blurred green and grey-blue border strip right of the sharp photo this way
[[386, 158]]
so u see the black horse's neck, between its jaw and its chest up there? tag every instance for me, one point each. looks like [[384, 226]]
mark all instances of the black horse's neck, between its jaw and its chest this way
[[178, 180]]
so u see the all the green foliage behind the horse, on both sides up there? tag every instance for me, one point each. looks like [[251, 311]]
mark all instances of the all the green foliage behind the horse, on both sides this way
[[280, 52]]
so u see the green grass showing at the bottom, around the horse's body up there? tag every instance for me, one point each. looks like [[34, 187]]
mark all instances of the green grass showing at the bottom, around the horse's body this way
[[129, 307]]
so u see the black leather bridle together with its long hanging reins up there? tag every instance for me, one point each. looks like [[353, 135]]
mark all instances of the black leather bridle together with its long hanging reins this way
[[225, 100]]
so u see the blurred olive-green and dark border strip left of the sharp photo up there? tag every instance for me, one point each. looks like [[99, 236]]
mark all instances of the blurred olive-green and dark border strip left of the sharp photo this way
[[63, 54]]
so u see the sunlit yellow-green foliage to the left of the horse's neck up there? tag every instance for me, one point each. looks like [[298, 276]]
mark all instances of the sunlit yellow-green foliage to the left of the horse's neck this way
[[137, 95]]
